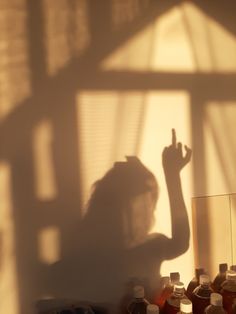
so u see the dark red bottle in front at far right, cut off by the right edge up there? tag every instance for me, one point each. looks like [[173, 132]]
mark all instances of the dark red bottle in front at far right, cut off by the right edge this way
[[228, 290]]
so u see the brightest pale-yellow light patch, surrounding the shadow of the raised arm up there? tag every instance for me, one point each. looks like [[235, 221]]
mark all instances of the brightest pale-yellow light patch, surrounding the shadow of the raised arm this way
[[167, 110]]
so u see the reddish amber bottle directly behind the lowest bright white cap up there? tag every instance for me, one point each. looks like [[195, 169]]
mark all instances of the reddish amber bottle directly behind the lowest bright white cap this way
[[172, 304]]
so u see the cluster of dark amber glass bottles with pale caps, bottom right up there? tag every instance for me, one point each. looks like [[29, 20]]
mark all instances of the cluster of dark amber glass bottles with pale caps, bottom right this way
[[201, 296]]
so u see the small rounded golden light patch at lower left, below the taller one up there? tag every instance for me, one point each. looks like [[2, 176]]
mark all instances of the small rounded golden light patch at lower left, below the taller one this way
[[49, 245]]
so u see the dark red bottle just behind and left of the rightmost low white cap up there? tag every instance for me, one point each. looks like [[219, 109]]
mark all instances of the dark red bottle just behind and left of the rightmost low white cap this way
[[201, 295]]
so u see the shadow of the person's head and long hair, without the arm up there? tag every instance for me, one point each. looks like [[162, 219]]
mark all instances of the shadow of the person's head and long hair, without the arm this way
[[120, 210]]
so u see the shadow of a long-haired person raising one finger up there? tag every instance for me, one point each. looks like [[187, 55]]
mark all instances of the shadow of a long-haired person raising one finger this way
[[114, 249]]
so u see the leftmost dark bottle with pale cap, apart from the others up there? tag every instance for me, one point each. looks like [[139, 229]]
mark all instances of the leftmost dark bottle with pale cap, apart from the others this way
[[138, 304]]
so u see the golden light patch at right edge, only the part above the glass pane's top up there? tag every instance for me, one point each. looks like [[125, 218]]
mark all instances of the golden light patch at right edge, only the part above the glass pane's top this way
[[220, 143]]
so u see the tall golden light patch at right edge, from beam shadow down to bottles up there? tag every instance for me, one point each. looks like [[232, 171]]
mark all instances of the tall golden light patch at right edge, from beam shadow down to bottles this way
[[217, 210]]
